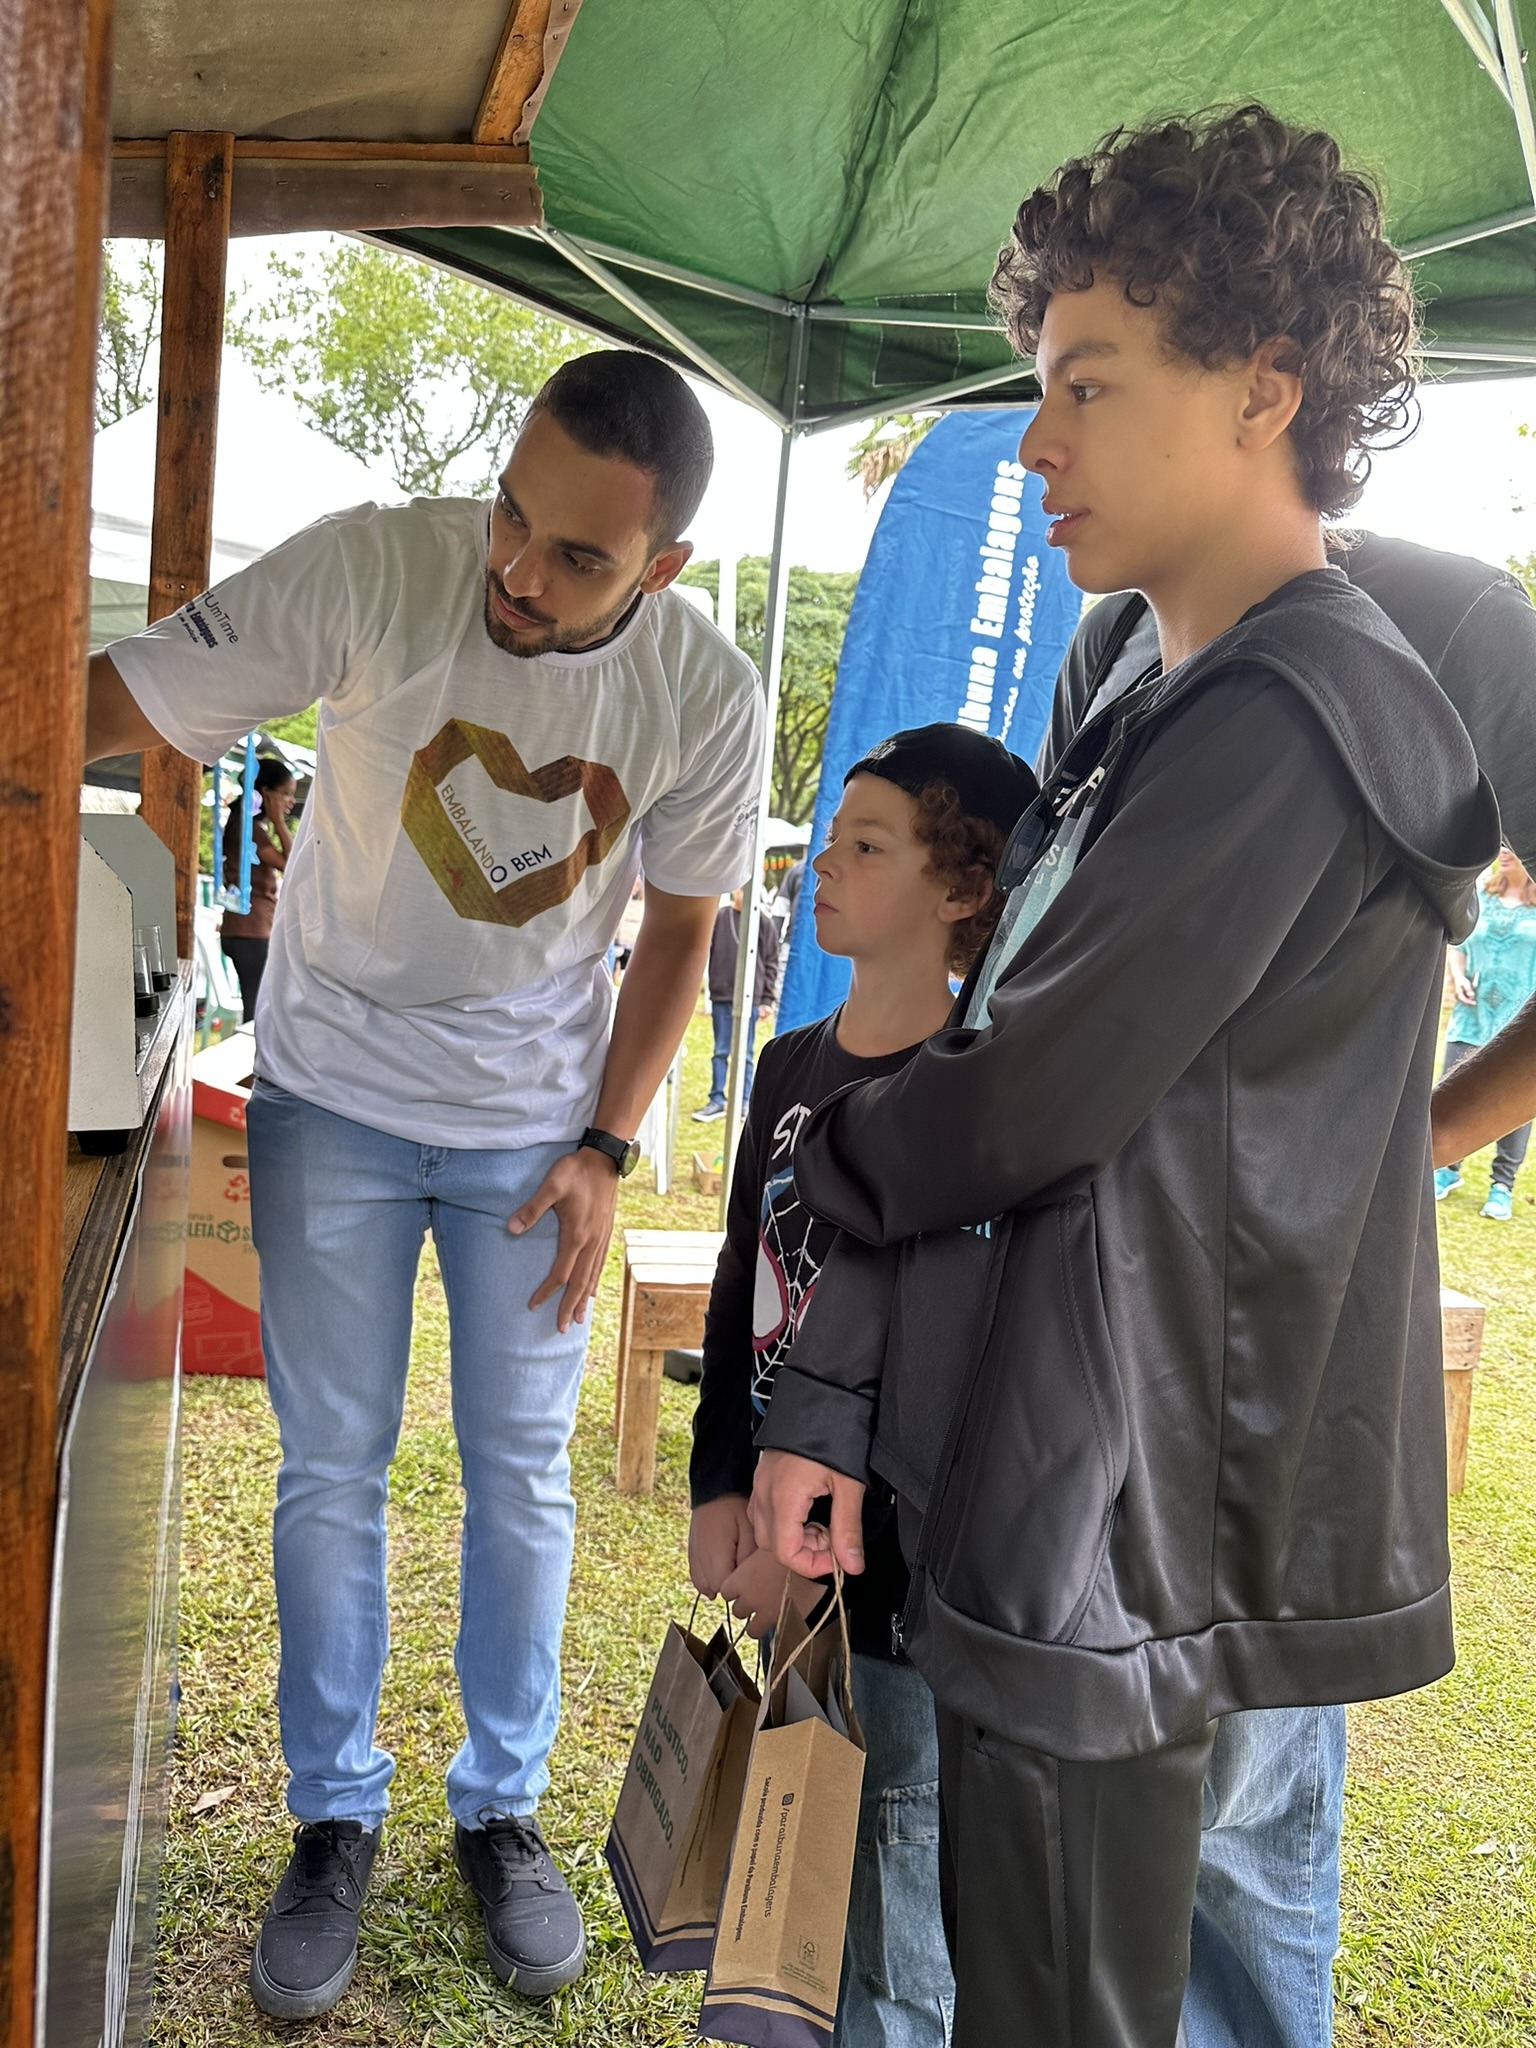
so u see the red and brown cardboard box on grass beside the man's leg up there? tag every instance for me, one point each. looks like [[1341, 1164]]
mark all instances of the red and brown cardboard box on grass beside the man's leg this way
[[222, 1328]]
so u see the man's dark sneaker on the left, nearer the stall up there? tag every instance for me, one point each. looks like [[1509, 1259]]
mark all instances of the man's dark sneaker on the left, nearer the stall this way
[[308, 1947]]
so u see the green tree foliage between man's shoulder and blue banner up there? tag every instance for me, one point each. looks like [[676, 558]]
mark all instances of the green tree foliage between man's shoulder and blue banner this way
[[816, 622]]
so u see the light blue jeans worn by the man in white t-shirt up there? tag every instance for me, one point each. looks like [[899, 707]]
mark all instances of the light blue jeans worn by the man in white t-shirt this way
[[339, 1213]]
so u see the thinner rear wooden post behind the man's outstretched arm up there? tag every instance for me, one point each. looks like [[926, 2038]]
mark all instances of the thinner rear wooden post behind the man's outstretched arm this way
[[181, 540]]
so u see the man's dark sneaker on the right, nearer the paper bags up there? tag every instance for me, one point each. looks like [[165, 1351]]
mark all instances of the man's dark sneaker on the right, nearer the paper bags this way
[[534, 1928]]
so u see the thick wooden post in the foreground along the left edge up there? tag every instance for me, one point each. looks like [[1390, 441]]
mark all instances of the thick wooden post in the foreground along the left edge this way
[[54, 62]]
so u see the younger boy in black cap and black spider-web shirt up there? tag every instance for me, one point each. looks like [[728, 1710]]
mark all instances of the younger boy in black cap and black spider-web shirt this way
[[904, 892]]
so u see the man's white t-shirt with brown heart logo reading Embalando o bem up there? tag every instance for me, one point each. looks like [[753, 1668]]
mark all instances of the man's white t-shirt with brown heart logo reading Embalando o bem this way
[[478, 820]]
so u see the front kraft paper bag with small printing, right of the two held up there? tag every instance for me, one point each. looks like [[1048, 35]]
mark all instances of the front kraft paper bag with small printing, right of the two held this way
[[777, 1957]]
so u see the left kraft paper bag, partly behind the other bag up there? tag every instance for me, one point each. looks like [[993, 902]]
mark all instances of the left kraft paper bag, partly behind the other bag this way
[[681, 1797]]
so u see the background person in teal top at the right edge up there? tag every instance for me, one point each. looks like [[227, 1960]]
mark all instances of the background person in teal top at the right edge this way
[[1492, 978]]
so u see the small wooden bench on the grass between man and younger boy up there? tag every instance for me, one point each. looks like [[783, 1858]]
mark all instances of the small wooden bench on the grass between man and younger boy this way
[[669, 1277]]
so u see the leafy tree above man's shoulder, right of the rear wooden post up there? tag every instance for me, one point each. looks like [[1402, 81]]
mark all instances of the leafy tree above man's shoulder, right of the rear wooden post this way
[[400, 364]]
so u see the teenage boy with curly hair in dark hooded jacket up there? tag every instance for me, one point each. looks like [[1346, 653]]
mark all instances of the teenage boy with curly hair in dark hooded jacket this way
[[1183, 1449]]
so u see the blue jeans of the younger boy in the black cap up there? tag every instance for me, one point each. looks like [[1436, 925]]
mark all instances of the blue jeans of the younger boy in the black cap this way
[[896, 1979]]
